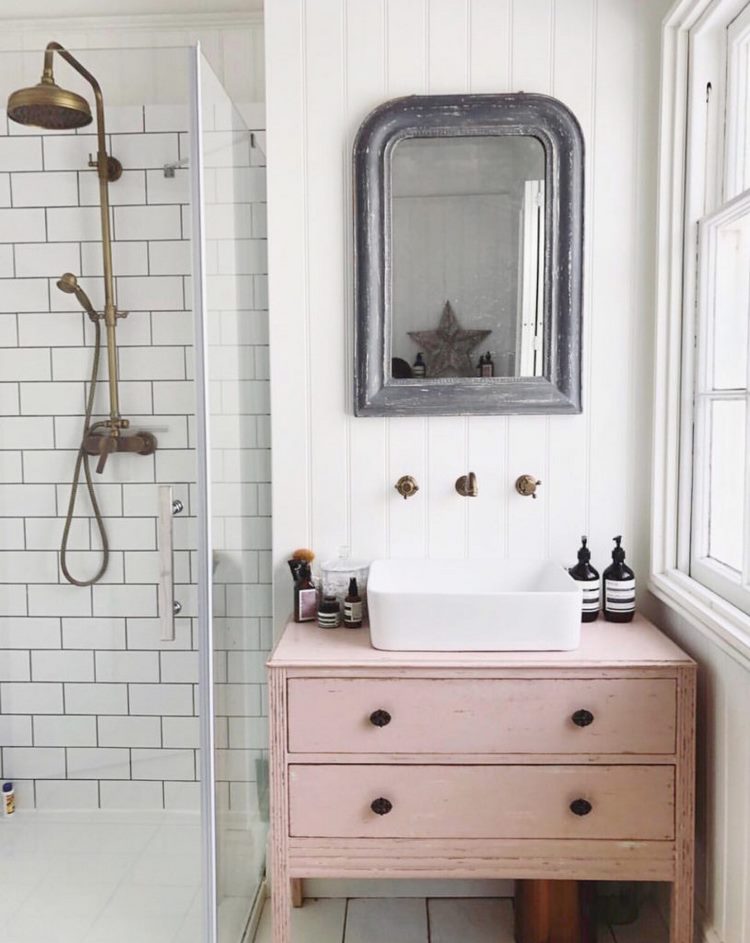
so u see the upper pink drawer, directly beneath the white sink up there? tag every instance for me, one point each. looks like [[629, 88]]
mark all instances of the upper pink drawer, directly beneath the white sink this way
[[363, 715]]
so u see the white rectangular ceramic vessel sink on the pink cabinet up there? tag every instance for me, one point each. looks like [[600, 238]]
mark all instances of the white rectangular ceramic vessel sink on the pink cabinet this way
[[473, 605]]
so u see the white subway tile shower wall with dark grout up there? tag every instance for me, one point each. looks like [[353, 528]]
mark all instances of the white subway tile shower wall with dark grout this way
[[95, 710]]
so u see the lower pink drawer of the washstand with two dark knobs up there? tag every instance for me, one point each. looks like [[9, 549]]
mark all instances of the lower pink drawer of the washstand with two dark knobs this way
[[624, 802]]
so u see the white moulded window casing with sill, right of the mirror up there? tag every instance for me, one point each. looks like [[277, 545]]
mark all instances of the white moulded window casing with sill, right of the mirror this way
[[691, 161]]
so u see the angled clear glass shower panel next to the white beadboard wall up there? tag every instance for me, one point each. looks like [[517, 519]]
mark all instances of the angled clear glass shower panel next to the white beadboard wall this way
[[233, 495]]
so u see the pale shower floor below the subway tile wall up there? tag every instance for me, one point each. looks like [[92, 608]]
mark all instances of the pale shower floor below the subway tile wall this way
[[101, 877]]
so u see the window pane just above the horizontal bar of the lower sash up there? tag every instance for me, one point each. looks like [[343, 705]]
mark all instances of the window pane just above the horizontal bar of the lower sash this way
[[731, 304]]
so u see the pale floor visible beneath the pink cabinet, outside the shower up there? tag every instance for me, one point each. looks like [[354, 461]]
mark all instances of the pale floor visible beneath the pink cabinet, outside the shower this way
[[415, 920]]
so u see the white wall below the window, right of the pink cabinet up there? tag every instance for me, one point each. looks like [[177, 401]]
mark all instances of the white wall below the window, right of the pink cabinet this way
[[723, 799]]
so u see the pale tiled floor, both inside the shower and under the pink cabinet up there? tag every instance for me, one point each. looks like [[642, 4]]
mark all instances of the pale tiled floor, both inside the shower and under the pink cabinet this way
[[111, 878]]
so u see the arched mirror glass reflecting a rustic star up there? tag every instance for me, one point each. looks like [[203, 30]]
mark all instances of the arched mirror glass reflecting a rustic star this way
[[467, 251]]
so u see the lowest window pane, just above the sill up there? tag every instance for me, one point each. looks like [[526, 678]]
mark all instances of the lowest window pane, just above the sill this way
[[726, 482]]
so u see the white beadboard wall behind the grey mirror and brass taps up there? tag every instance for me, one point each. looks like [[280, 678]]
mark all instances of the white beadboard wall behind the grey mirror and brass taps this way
[[329, 62]]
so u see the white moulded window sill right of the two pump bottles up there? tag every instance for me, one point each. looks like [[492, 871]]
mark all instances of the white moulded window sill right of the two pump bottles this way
[[715, 618]]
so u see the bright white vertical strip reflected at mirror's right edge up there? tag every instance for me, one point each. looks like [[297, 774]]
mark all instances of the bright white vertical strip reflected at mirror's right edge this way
[[530, 331]]
